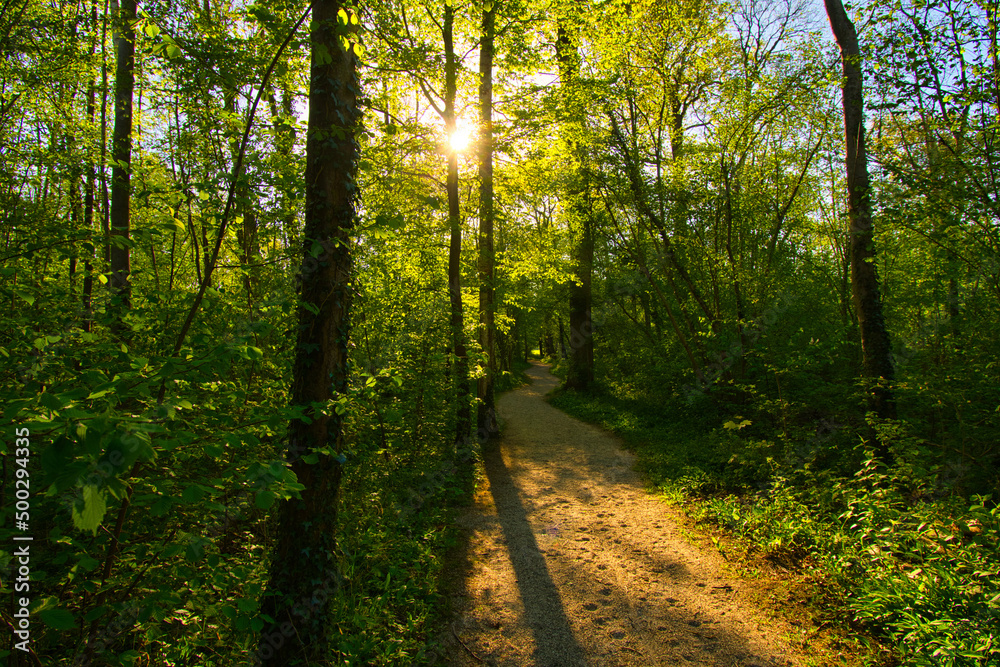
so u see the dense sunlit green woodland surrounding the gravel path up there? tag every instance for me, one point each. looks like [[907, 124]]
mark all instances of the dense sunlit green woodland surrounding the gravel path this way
[[667, 176]]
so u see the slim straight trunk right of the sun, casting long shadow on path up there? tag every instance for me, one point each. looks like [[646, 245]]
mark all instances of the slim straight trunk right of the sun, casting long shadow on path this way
[[485, 418]]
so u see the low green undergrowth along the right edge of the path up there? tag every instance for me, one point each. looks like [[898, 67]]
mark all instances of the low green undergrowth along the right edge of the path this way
[[906, 553]]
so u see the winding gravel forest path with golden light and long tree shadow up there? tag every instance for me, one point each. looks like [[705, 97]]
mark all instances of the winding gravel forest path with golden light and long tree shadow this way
[[570, 562]]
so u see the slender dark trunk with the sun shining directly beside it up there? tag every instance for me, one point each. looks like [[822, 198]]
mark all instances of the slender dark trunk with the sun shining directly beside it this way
[[463, 417]]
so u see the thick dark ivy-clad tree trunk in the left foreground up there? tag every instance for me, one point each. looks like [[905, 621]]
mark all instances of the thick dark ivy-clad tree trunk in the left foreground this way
[[304, 570]]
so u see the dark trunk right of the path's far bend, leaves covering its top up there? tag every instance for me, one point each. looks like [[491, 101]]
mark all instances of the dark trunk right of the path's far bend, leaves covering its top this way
[[580, 373]]
